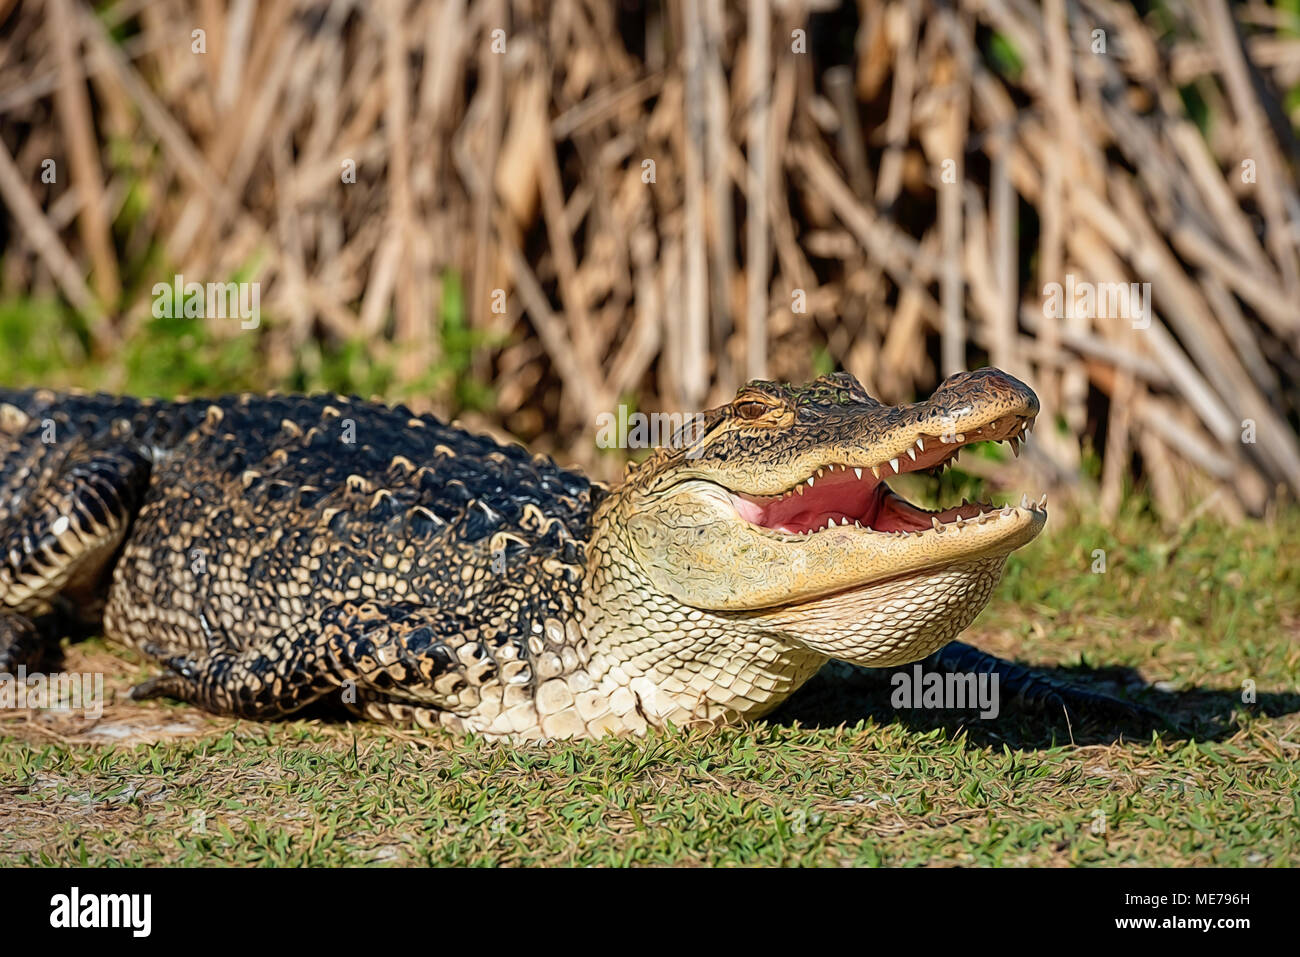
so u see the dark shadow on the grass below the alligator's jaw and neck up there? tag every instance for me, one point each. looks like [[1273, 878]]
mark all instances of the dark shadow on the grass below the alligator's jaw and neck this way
[[846, 695]]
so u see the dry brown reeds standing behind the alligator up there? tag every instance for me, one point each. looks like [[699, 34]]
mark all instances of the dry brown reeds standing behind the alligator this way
[[799, 155]]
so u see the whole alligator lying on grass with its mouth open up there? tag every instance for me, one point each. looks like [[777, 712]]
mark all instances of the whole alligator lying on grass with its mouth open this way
[[271, 552]]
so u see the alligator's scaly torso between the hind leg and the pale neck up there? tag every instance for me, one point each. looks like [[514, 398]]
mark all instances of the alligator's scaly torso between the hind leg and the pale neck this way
[[267, 516]]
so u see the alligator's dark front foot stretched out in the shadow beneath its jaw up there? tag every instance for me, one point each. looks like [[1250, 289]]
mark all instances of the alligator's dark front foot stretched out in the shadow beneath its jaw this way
[[1038, 691]]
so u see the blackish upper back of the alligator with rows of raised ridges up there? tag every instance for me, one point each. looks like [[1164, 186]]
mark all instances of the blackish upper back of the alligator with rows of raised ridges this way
[[296, 447]]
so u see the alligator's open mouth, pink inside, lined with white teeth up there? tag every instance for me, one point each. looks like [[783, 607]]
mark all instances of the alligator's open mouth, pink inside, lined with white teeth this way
[[857, 496]]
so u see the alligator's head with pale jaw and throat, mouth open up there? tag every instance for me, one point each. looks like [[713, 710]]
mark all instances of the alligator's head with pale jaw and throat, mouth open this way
[[773, 525]]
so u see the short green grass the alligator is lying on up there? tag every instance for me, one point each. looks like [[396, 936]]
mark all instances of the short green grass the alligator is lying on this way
[[837, 778]]
